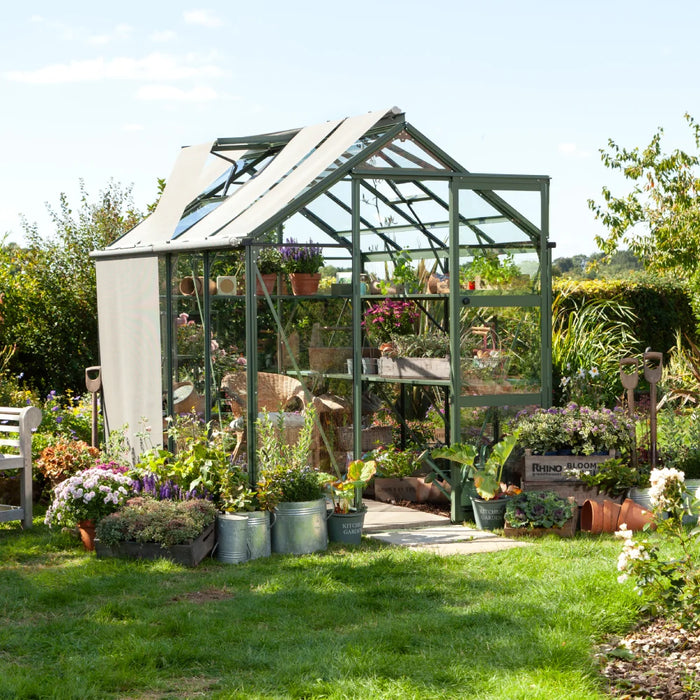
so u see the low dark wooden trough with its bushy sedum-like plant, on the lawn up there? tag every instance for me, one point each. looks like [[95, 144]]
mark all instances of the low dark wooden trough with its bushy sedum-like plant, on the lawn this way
[[146, 528]]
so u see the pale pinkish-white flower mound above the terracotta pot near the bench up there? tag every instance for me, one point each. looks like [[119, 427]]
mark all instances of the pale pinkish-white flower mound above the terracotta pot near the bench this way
[[89, 495]]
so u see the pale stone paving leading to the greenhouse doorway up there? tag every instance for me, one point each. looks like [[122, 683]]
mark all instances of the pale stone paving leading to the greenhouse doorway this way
[[407, 527]]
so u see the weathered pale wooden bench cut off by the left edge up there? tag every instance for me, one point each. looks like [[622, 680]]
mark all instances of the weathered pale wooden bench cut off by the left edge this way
[[16, 426]]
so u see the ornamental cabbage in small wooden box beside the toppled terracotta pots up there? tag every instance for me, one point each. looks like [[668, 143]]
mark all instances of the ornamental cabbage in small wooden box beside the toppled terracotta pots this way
[[537, 513]]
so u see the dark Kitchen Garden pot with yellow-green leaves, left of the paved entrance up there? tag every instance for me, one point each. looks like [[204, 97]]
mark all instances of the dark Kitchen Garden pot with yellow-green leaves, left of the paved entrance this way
[[348, 516]]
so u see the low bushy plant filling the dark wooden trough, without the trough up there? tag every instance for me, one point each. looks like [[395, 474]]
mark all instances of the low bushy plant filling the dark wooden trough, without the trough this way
[[164, 522]]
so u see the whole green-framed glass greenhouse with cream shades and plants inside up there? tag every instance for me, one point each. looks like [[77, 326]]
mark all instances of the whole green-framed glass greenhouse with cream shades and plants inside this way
[[434, 304]]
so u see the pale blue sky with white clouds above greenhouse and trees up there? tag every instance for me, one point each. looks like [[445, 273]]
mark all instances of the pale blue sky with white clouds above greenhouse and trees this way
[[99, 92]]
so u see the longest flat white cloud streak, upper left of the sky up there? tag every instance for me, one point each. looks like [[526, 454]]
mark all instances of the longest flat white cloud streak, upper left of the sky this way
[[156, 66]]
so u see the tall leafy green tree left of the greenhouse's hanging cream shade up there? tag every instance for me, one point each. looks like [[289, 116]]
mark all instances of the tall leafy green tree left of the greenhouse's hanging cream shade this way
[[49, 288]]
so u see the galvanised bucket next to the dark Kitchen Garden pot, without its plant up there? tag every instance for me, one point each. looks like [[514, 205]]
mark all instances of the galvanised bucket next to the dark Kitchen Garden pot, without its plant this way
[[300, 527]]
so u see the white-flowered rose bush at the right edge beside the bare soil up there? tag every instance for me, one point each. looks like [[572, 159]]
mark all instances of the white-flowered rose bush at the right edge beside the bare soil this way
[[672, 586]]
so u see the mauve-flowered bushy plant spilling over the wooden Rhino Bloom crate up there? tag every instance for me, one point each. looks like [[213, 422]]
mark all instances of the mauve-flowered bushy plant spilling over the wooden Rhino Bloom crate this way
[[577, 428]]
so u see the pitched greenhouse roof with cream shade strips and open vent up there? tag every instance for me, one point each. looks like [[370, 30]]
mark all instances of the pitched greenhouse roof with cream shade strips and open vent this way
[[222, 192]]
